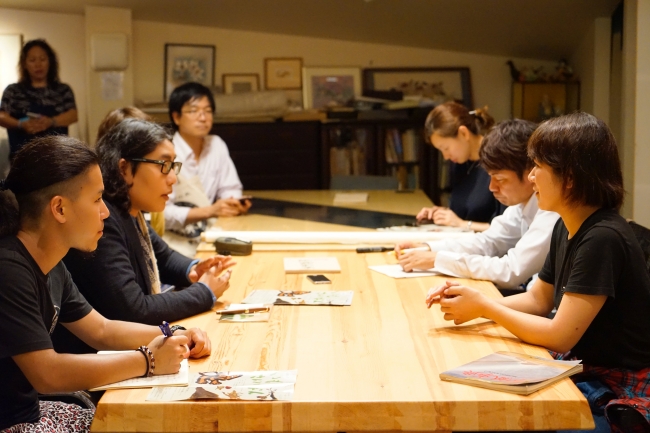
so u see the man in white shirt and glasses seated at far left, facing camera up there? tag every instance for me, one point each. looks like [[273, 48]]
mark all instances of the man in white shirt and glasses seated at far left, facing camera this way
[[209, 179]]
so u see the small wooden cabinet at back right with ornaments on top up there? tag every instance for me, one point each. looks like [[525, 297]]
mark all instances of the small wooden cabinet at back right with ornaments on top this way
[[541, 101]]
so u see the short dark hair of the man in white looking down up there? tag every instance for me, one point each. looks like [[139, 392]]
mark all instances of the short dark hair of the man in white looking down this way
[[505, 147]]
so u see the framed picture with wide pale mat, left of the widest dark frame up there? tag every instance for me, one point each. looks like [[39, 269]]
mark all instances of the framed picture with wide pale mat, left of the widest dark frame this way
[[329, 87]]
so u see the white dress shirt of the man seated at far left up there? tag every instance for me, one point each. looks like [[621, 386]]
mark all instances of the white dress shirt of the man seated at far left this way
[[215, 170]]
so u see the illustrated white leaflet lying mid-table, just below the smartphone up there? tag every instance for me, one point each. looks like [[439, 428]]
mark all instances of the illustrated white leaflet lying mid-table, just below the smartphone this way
[[293, 297]]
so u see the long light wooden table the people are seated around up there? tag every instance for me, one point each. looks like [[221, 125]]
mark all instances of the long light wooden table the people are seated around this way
[[371, 366]]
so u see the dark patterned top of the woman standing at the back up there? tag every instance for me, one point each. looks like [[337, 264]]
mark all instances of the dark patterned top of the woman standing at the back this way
[[19, 99]]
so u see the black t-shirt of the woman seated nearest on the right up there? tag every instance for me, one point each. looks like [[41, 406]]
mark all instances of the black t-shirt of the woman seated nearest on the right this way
[[604, 258]]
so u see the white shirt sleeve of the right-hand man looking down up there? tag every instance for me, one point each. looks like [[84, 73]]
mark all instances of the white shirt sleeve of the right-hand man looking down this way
[[513, 268]]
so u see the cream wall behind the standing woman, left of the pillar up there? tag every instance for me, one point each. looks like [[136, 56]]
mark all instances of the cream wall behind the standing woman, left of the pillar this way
[[65, 32]]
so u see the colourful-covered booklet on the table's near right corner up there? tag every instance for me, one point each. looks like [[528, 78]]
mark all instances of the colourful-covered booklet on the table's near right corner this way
[[512, 372]]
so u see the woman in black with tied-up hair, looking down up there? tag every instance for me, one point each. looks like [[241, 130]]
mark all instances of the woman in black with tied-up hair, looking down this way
[[457, 133]]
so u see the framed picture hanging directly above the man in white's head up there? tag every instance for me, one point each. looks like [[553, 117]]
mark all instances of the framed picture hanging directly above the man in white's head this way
[[185, 63]]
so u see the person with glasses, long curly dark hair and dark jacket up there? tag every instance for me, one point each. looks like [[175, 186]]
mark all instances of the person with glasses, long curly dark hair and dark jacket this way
[[124, 277]]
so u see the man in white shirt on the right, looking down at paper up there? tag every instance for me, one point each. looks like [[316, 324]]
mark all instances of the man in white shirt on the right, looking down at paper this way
[[515, 246]]
